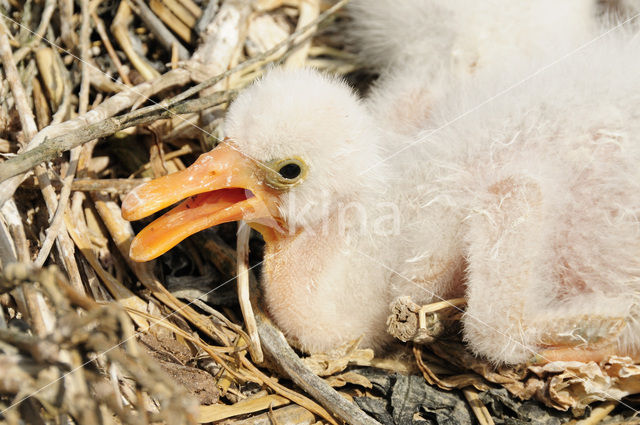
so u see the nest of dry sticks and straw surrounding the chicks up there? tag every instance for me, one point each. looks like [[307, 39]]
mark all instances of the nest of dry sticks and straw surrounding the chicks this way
[[98, 97]]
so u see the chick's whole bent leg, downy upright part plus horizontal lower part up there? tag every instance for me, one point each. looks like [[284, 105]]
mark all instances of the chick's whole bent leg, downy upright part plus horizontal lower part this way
[[513, 315]]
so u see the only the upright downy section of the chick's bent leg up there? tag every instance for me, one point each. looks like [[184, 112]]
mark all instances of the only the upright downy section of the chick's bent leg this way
[[505, 236]]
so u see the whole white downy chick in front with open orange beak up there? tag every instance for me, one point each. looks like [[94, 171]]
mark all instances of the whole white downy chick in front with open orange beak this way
[[527, 205]]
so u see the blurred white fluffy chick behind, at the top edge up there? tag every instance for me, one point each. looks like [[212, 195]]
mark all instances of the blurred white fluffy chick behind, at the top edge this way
[[459, 36]]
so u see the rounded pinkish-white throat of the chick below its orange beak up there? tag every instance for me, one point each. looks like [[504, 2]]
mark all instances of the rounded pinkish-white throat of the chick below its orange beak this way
[[315, 291]]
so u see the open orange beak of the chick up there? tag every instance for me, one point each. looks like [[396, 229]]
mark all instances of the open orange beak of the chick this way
[[221, 186]]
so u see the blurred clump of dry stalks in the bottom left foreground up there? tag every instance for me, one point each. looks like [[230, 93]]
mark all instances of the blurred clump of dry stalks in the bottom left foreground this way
[[102, 336]]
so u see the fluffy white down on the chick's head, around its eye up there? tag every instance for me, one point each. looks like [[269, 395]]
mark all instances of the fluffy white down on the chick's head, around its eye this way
[[317, 118]]
